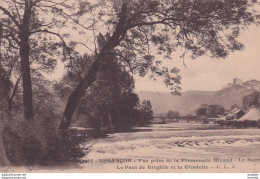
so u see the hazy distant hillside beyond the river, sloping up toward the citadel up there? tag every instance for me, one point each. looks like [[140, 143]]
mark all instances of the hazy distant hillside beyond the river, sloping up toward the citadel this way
[[190, 101]]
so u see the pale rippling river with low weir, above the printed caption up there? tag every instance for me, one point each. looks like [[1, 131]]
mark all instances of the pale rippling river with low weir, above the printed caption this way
[[174, 140]]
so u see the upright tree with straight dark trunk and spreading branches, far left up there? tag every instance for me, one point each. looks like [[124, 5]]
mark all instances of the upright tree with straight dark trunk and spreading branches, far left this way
[[32, 39]]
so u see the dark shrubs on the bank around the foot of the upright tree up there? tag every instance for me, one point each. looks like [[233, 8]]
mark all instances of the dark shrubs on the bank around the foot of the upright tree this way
[[39, 142]]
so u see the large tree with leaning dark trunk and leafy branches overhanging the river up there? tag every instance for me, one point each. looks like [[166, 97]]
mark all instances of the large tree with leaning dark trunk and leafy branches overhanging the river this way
[[138, 31]]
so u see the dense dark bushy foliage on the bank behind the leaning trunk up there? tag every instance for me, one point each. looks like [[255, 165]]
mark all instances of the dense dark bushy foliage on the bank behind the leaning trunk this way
[[110, 103]]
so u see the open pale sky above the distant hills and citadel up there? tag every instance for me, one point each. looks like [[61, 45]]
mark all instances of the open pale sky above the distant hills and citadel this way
[[208, 74]]
